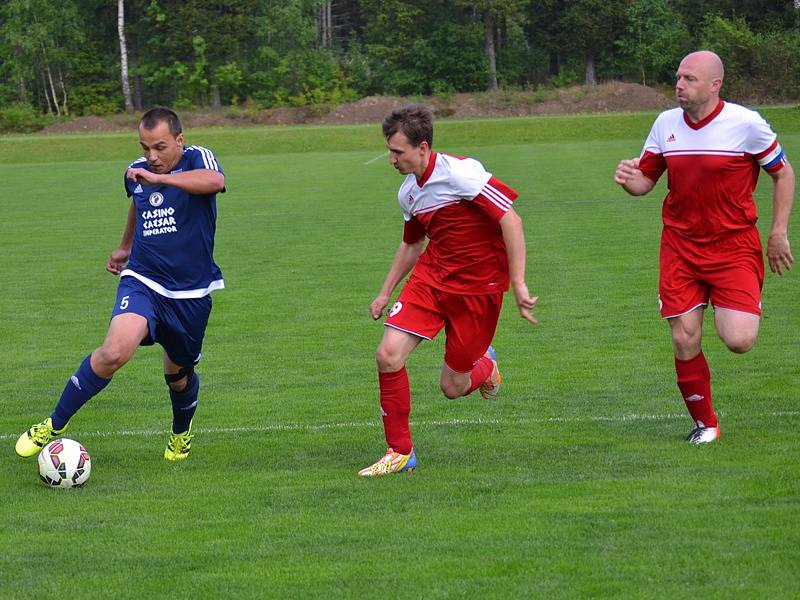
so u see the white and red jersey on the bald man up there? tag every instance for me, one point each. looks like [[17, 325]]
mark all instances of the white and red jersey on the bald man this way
[[712, 168]]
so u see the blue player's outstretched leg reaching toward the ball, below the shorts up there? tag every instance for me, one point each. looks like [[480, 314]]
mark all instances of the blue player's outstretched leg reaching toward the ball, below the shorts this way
[[125, 333]]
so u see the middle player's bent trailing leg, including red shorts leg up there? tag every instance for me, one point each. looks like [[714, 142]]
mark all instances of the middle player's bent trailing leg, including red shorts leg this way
[[470, 362]]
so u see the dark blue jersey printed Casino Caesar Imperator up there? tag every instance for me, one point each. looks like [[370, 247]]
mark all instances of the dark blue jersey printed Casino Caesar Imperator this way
[[173, 242]]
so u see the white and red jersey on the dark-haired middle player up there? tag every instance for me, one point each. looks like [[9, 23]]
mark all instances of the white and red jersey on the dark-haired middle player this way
[[457, 204]]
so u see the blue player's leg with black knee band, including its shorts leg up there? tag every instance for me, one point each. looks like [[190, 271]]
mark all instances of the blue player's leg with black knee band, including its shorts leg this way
[[181, 329]]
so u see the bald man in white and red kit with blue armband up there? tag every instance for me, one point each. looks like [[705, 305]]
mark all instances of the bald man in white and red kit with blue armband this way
[[710, 247]]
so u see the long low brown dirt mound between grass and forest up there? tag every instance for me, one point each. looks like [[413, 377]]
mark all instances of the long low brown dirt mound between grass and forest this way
[[608, 97]]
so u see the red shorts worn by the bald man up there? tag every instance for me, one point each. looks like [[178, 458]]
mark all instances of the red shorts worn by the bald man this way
[[728, 272]]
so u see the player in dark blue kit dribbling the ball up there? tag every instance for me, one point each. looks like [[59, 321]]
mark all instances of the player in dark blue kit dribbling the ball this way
[[167, 271]]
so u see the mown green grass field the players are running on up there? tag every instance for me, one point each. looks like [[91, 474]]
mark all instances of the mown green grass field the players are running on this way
[[575, 482]]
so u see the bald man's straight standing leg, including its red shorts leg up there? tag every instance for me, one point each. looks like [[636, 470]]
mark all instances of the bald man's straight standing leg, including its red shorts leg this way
[[683, 298]]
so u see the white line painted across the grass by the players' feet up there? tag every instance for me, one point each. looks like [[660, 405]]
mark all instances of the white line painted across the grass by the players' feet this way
[[421, 423]]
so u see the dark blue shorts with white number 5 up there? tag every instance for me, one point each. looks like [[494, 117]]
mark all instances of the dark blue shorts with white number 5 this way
[[177, 325]]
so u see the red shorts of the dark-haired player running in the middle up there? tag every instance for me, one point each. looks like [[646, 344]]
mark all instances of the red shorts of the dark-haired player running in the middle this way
[[469, 321]]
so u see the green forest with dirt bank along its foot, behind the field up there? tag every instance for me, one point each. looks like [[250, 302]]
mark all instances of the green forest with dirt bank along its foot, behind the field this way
[[65, 58]]
